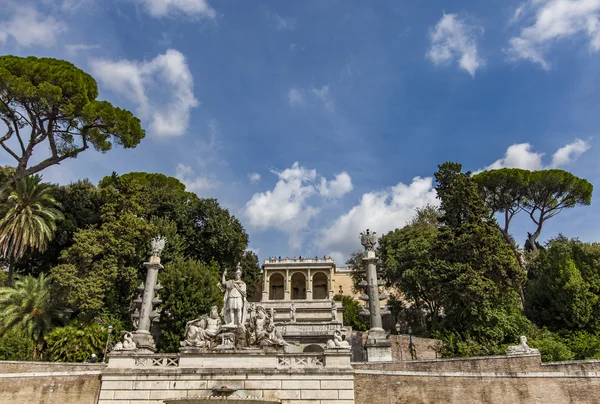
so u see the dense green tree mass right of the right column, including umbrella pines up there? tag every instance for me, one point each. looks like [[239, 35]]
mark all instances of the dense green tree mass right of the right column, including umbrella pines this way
[[467, 278]]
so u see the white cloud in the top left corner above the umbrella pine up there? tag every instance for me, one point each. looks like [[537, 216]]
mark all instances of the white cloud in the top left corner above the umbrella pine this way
[[28, 27]]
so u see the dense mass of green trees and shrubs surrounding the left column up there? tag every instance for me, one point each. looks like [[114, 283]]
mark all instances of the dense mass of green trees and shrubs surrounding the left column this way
[[97, 253]]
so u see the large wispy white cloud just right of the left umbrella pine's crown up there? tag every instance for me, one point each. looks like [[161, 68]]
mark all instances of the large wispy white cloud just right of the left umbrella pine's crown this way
[[162, 89]]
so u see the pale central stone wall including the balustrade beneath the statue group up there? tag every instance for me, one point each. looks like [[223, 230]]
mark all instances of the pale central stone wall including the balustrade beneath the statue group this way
[[292, 378]]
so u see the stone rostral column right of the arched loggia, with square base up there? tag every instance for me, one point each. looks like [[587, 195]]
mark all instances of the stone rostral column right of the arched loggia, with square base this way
[[378, 347]]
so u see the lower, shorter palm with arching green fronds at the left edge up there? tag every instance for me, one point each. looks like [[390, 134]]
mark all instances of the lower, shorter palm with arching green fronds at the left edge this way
[[30, 307]]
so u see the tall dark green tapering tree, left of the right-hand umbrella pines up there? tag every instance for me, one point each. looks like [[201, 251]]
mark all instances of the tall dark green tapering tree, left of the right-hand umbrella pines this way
[[478, 271]]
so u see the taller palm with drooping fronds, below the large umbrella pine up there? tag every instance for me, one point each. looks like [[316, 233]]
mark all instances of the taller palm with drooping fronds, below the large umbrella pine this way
[[28, 220]]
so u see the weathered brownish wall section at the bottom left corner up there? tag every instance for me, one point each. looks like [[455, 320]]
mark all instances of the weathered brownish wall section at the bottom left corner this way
[[49, 383]]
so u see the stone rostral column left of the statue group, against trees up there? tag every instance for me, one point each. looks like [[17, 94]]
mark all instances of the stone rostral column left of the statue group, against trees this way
[[142, 337]]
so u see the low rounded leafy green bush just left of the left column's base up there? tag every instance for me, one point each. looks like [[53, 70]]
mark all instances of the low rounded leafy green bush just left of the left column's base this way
[[76, 342]]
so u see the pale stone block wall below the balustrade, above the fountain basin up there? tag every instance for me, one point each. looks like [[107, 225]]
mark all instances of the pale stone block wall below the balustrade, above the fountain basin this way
[[152, 386]]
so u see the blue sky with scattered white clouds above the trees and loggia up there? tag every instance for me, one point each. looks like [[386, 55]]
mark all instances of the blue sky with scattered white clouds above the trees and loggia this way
[[314, 120]]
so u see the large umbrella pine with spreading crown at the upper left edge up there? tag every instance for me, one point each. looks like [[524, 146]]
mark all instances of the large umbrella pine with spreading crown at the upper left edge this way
[[51, 101]]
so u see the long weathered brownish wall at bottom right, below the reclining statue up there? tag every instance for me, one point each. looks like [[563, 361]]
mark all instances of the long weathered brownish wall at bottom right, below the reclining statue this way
[[498, 380]]
